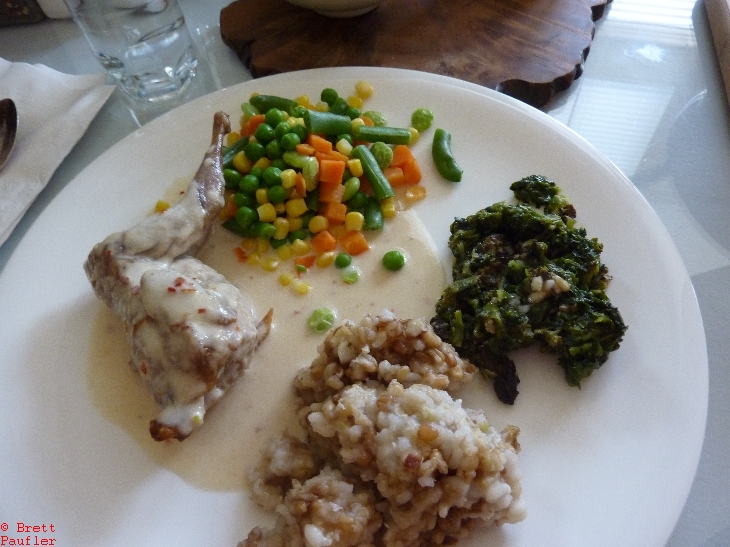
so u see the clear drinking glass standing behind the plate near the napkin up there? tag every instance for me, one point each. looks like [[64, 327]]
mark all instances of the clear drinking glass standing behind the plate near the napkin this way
[[144, 45]]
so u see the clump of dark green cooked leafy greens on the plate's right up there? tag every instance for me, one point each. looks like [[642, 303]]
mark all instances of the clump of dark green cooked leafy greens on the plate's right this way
[[527, 274]]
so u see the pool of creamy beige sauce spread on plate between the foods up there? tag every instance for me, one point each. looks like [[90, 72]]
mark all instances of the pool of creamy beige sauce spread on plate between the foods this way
[[218, 455]]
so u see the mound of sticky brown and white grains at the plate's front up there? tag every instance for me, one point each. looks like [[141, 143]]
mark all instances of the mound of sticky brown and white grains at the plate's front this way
[[385, 456]]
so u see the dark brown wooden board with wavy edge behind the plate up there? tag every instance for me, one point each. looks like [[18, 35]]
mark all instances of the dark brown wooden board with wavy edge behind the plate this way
[[529, 49]]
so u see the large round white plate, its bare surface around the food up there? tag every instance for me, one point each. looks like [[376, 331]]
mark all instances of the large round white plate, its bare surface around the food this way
[[609, 464]]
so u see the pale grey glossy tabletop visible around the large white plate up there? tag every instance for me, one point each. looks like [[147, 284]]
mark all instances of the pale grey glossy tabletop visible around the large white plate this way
[[651, 98]]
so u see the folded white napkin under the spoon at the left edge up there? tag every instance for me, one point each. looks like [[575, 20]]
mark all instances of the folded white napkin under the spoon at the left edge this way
[[54, 109]]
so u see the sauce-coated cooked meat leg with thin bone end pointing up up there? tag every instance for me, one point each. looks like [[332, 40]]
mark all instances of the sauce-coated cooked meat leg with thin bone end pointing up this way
[[191, 332]]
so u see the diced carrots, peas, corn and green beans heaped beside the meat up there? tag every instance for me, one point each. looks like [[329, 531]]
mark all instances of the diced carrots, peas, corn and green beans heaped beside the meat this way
[[307, 181]]
